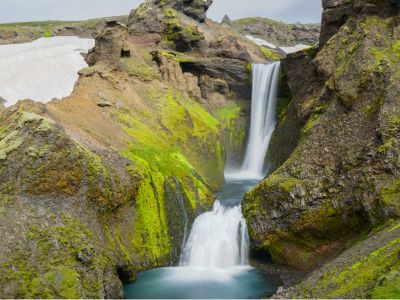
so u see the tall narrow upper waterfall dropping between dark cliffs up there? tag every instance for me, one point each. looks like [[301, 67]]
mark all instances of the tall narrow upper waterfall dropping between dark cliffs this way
[[263, 119]]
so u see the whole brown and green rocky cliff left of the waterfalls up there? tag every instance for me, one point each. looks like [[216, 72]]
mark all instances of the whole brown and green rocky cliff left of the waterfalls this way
[[101, 185]]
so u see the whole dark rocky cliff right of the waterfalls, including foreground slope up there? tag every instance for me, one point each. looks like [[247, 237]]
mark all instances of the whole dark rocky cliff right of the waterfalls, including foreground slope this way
[[338, 176]]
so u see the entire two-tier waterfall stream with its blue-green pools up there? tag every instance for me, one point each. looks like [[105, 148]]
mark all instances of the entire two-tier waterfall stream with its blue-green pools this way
[[214, 261]]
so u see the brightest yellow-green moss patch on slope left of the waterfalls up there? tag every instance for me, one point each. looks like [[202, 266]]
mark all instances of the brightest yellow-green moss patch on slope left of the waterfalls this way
[[180, 140]]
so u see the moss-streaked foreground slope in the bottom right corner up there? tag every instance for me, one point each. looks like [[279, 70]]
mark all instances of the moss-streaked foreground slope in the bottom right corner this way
[[369, 270]]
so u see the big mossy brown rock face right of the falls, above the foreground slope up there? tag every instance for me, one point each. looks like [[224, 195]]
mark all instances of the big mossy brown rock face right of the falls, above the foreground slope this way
[[341, 179]]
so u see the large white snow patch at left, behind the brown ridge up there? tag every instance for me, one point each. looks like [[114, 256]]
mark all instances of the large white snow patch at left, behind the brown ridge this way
[[41, 70]]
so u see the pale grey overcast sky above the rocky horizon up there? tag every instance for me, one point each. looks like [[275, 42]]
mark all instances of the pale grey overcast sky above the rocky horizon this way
[[34, 10]]
